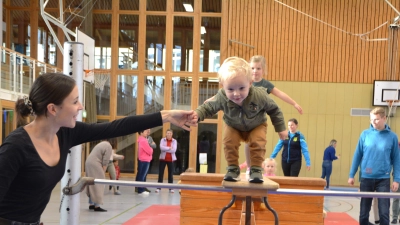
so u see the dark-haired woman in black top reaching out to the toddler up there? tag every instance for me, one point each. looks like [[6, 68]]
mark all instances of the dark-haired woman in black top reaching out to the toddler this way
[[33, 157]]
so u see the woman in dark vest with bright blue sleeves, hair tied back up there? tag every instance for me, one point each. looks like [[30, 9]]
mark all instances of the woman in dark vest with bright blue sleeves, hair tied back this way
[[293, 147]]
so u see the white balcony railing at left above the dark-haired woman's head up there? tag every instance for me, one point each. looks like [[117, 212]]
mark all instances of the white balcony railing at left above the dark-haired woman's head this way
[[18, 72]]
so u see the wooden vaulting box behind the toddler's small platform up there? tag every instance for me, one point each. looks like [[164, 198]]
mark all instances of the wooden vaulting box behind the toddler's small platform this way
[[203, 207]]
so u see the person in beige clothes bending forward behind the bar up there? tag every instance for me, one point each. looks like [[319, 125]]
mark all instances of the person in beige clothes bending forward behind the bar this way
[[95, 166]]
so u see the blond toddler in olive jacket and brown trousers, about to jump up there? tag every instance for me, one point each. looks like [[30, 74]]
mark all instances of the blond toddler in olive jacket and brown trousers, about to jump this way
[[244, 110]]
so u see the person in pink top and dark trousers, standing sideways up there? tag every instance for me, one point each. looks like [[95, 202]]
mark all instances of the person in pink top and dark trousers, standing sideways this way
[[145, 155]]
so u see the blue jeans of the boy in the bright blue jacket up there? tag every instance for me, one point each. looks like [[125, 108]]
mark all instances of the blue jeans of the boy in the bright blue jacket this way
[[371, 185]]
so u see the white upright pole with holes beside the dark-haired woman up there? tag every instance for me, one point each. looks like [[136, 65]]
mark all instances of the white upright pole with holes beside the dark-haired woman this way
[[70, 205]]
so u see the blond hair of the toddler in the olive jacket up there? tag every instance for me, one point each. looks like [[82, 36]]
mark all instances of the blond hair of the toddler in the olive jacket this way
[[232, 67]]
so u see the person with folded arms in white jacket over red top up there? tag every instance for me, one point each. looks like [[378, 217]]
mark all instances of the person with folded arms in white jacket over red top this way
[[167, 157]]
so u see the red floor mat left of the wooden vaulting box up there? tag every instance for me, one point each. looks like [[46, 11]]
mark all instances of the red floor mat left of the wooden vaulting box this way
[[157, 214]]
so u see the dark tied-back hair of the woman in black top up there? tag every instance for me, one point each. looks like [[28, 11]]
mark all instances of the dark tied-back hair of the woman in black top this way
[[47, 88]]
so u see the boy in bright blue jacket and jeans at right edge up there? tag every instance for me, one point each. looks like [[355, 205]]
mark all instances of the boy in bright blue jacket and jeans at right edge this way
[[377, 153]]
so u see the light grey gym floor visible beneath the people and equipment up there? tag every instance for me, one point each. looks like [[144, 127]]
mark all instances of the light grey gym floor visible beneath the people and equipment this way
[[122, 208]]
